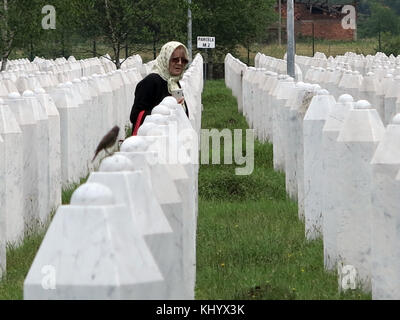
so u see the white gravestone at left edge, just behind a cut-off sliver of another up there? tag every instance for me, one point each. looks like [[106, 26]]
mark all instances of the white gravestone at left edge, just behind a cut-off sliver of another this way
[[12, 182]]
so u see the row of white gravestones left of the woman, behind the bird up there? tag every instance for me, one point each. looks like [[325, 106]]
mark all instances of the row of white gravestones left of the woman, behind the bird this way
[[50, 139]]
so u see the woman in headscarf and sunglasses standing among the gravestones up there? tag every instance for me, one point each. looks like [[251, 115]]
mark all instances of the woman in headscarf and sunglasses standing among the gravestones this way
[[162, 82]]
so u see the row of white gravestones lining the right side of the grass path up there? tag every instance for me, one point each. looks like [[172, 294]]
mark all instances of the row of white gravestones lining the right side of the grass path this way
[[351, 179]]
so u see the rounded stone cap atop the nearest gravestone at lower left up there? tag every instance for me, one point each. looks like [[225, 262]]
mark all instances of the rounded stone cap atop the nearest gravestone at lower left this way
[[92, 194]]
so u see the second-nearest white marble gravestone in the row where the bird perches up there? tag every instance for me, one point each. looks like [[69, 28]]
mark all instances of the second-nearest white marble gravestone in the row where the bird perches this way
[[133, 189]]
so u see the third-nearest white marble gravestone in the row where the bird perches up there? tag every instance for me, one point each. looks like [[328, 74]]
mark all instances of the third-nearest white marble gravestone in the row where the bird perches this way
[[181, 199]]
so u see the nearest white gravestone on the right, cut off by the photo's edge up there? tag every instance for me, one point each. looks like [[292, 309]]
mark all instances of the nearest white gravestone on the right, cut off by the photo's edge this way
[[385, 200]]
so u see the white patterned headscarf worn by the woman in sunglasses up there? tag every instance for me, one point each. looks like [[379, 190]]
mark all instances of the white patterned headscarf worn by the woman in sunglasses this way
[[161, 67]]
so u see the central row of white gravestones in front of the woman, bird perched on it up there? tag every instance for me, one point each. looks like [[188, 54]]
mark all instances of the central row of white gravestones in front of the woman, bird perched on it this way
[[130, 231]]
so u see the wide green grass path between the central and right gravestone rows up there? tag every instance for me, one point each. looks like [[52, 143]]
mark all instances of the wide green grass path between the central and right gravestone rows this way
[[250, 242]]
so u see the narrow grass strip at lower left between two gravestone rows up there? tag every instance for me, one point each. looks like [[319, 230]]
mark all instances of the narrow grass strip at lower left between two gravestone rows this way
[[20, 259]]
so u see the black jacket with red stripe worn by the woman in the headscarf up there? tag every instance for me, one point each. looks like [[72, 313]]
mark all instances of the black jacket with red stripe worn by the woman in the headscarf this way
[[149, 93]]
